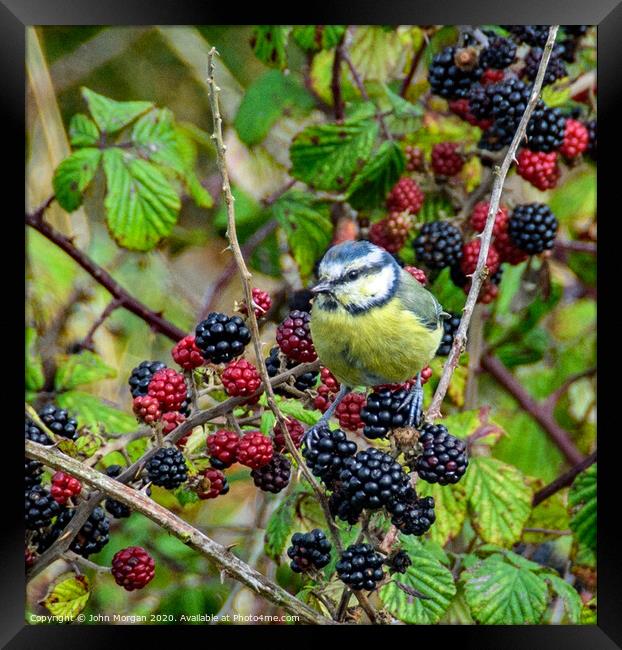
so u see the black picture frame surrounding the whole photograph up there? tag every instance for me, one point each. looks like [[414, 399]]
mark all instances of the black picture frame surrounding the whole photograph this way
[[15, 15]]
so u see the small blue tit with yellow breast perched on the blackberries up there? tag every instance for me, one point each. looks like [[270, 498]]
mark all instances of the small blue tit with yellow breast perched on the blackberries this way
[[371, 324]]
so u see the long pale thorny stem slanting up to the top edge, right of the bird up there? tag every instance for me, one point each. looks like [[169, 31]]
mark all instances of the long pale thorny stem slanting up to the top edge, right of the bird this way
[[500, 174]]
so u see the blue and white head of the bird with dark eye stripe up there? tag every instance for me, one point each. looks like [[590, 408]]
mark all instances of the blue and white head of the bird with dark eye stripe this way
[[356, 276]]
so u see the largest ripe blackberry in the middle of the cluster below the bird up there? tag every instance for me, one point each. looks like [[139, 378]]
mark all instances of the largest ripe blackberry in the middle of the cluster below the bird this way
[[371, 479]]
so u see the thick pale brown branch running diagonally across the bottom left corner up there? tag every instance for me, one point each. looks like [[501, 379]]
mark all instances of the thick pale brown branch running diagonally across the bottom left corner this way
[[194, 538]]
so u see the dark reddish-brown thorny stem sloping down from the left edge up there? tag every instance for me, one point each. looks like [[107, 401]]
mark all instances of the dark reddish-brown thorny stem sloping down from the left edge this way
[[157, 322]]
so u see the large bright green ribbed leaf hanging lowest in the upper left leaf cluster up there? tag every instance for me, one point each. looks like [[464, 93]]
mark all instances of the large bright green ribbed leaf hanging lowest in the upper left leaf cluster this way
[[141, 205]]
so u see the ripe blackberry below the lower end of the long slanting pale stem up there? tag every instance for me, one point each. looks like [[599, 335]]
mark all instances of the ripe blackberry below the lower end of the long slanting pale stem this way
[[444, 459]]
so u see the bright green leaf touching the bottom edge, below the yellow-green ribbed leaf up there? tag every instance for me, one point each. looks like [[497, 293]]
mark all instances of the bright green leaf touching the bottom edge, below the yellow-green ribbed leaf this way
[[500, 593]]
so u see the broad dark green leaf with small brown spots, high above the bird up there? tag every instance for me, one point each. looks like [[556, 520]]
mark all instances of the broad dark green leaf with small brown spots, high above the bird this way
[[328, 156]]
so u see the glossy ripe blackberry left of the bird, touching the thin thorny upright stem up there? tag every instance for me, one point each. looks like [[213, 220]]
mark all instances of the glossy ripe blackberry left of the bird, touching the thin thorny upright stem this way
[[221, 338]]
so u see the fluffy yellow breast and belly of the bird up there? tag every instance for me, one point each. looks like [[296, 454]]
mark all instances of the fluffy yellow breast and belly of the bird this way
[[385, 344]]
